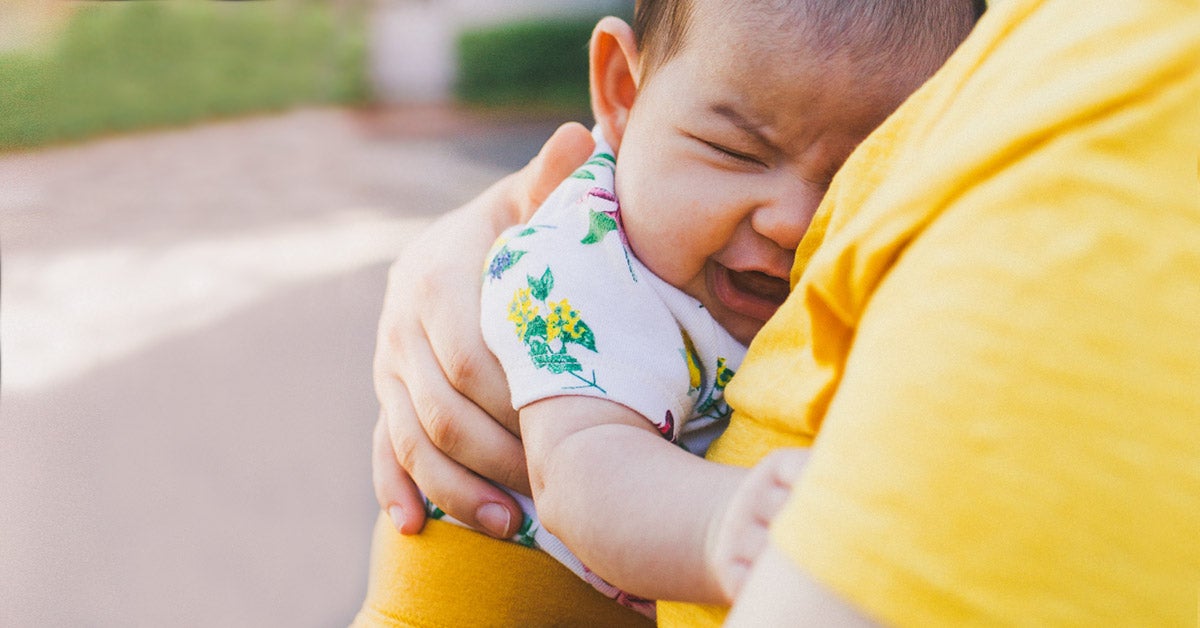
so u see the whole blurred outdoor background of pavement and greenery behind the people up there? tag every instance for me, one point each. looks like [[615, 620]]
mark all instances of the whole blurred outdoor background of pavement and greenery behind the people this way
[[199, 204]]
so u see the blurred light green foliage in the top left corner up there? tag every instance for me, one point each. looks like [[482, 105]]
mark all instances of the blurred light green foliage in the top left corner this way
[[119, 67]]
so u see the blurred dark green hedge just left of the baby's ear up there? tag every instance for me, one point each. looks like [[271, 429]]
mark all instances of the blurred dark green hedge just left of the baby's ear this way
[[541, 64]]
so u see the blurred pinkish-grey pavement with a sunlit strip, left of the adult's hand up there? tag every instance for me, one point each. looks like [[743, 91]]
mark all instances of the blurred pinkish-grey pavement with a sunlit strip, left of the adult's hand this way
[[187, 327]]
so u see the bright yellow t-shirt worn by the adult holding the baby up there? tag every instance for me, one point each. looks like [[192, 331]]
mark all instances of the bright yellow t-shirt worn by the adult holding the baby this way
[[999, 338]]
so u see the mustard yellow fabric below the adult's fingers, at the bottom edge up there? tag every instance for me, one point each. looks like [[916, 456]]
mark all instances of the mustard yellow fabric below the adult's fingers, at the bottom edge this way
[[449, 577]]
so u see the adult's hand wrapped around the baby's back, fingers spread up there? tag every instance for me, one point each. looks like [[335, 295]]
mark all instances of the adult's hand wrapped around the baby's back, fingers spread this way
[[446, 420]]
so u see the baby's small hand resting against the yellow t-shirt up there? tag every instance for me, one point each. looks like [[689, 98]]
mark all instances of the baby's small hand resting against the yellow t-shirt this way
[[742, 533]]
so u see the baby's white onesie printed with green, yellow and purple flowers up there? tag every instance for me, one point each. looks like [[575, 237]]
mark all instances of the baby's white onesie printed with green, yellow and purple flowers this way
[[569, 310]]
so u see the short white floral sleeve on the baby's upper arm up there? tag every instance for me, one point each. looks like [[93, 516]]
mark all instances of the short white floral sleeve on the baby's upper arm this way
[[569, 312]]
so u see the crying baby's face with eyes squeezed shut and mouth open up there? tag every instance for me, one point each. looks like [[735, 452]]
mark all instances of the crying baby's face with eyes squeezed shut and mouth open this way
[[729, 149]]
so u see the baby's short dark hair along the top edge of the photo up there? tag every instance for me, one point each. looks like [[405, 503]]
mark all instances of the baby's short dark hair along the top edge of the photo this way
[[919, 34]]
